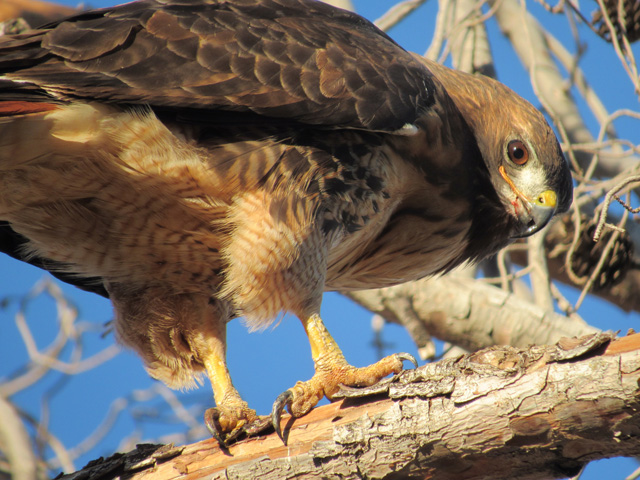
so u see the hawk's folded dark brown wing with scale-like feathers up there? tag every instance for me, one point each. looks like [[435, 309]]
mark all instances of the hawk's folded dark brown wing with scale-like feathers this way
[[304, 62]]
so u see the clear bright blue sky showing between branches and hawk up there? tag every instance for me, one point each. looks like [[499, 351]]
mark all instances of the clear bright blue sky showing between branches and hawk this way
[[266, 363]]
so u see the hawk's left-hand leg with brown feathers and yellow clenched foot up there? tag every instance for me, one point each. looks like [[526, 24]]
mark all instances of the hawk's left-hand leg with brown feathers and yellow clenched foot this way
[[180, 337]]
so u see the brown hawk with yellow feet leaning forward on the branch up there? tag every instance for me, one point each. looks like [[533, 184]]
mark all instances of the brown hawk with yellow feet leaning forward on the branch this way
[[199, 160]]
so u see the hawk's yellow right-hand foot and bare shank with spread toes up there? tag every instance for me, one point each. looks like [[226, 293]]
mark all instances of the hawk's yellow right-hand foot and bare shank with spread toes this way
[[332, 370]]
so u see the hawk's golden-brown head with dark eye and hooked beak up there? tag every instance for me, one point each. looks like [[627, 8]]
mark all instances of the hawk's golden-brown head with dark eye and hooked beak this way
[[520, 150]]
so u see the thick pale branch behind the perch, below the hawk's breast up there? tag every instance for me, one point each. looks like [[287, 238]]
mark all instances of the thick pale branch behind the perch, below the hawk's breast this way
[[468, 313]]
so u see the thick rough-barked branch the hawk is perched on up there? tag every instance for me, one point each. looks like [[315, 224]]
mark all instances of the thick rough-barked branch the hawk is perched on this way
[[503, 412]]
